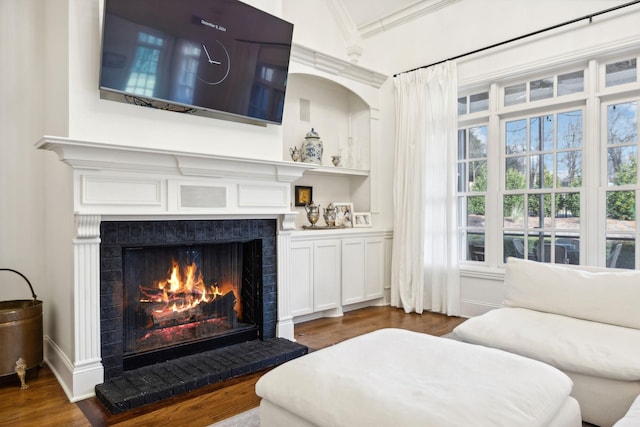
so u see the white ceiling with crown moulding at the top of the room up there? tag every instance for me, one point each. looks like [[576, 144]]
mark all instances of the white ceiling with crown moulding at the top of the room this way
[[367, 17]]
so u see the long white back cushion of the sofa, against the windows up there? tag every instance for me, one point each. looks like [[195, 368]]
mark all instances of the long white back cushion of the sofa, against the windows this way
[[598, 294]]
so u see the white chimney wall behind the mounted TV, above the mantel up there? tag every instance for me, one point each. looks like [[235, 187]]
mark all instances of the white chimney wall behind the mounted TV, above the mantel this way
[[95, 119]]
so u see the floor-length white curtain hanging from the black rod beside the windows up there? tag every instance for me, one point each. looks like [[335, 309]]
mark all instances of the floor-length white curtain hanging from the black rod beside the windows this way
[[424, 270]]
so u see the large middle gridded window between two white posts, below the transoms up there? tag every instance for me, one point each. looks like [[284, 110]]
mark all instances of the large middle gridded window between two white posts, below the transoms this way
[[542, 180]]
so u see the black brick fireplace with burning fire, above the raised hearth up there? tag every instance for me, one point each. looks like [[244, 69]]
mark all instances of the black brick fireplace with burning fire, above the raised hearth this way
[[136, 257]]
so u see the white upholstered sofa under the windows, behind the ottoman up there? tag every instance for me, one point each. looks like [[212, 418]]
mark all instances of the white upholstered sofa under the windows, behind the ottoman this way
[[584, 321]]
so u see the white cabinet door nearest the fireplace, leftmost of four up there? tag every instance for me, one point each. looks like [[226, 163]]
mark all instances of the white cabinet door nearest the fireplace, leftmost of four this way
[[301, 278]]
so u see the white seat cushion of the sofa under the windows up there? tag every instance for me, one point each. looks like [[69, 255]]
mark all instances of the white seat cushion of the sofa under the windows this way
[[574, 345]]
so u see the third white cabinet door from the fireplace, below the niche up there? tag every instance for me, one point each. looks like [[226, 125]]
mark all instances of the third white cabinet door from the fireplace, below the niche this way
[[353, 271]]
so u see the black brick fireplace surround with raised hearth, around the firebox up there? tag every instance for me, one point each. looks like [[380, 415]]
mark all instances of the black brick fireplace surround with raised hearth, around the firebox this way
[[128, 386]]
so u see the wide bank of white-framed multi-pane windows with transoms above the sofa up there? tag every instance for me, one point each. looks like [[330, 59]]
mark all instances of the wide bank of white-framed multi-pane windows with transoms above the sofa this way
[[561, 184]]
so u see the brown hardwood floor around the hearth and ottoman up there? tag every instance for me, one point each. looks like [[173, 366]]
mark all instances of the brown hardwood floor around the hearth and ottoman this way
[[45, 404]]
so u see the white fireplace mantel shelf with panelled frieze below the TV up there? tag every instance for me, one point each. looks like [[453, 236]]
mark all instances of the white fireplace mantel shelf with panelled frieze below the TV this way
[[119, 180]]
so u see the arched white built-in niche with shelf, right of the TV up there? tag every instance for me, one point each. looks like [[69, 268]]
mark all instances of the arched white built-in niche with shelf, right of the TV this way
[[346, 126]]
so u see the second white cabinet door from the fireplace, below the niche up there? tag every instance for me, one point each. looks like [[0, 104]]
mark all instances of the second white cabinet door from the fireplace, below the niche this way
[[326, 274]]
